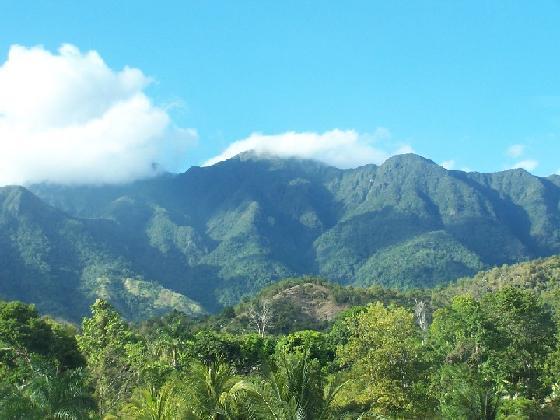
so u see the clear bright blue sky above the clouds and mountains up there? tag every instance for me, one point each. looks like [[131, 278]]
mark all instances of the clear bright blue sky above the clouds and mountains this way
[[455, 81]]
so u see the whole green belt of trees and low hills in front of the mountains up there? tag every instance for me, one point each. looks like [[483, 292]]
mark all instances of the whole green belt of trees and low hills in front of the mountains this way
[[486, 347]]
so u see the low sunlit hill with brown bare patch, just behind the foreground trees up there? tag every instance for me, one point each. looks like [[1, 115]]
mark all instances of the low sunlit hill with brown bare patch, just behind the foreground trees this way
[[313, 303]]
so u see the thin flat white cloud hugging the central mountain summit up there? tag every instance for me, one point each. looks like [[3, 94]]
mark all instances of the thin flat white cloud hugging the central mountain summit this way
[[340, 148]]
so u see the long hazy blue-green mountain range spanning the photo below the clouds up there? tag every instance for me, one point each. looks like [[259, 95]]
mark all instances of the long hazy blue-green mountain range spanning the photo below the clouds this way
[[214, 234]]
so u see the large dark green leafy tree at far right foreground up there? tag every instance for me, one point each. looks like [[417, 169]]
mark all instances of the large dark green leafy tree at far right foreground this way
[[491, 352]]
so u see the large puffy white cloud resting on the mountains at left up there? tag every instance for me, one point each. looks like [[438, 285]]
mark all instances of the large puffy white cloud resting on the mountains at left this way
[[67, 117]]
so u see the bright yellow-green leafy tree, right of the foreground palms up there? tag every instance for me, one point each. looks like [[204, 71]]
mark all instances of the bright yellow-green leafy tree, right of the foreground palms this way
[[384, 355]]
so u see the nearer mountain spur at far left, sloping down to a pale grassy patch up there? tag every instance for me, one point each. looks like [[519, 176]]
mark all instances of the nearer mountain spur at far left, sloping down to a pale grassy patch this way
[[62, 263]]
